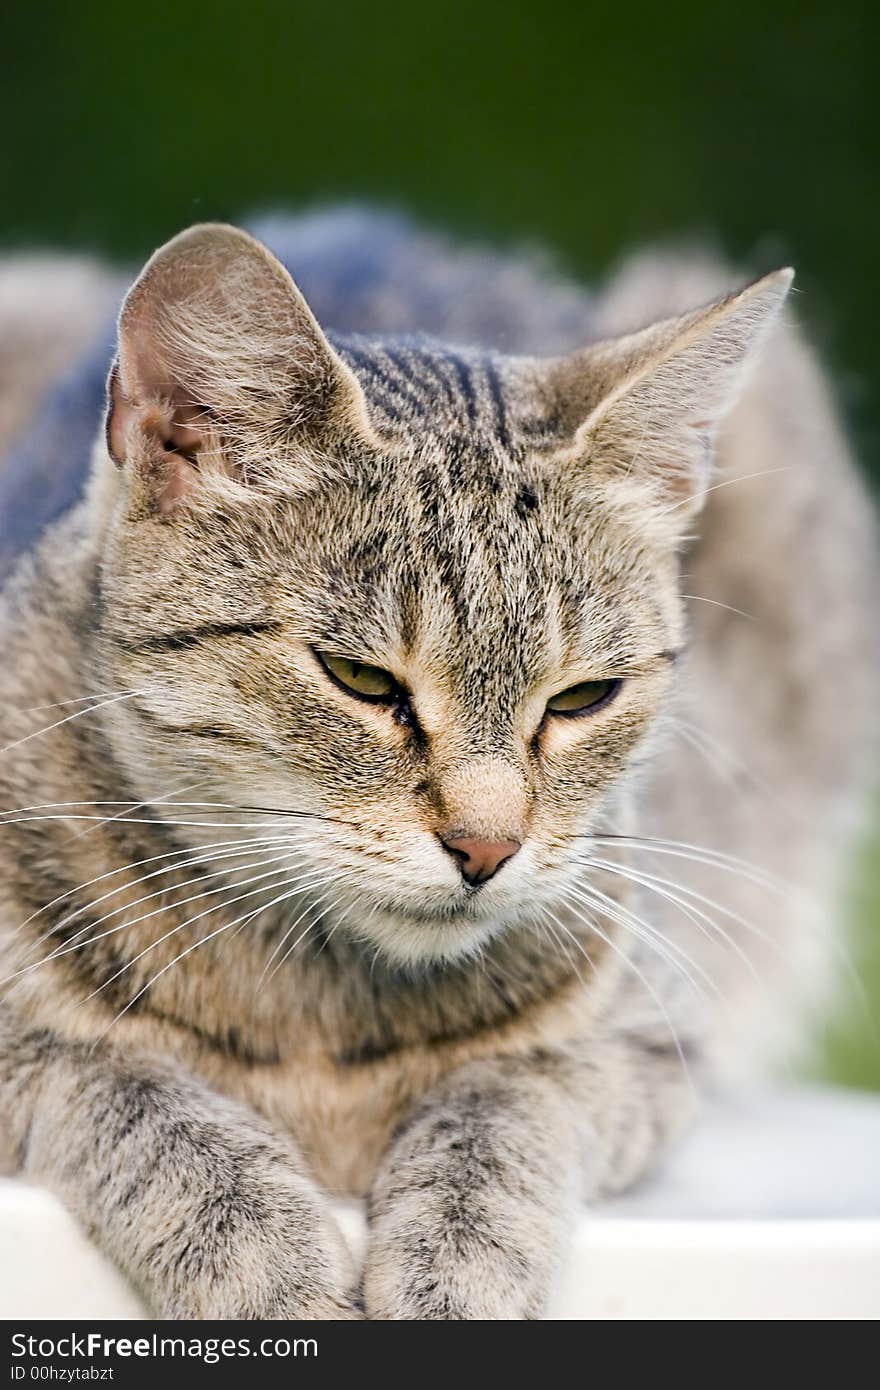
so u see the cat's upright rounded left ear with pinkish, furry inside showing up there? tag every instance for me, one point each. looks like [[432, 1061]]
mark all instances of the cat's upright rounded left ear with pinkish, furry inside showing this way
[[223, 369]]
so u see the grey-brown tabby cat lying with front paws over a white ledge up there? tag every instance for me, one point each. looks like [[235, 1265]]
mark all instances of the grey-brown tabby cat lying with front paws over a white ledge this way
[[414, 729]]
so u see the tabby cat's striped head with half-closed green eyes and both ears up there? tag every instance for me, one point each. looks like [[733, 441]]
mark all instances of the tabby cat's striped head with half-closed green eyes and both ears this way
[[426, 596]]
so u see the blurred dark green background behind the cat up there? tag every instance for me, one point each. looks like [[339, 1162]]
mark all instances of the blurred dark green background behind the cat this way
[[587, 127]]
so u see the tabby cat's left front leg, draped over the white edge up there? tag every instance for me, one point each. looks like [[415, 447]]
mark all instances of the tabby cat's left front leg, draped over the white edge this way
[[208, 1210]]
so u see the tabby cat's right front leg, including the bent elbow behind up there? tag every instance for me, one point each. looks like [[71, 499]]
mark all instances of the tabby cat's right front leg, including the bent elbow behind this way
[[478, 1193]]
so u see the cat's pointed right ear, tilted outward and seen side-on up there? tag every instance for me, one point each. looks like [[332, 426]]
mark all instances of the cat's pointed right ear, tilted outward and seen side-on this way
[[646, 409]]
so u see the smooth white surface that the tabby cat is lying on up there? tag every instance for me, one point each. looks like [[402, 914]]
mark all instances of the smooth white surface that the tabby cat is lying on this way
[[769, 1210]]
